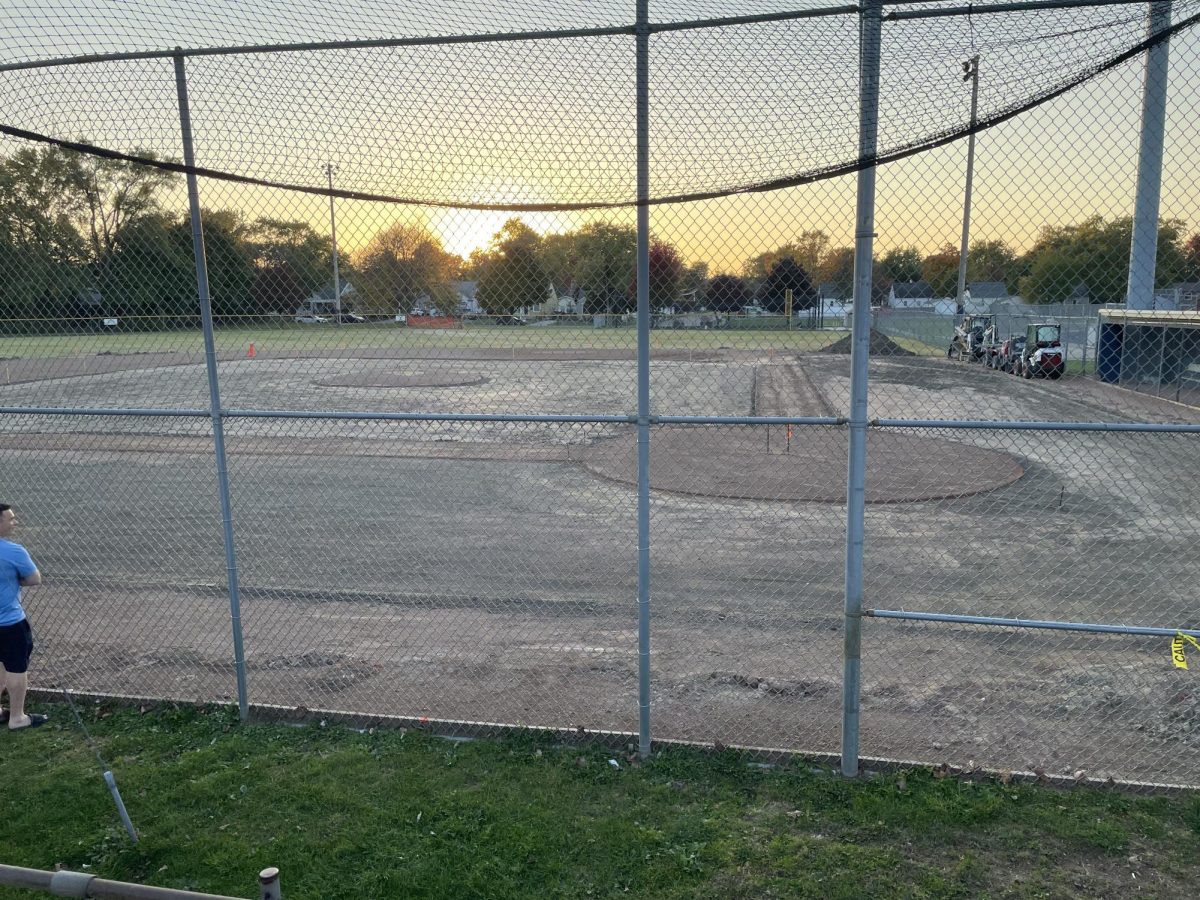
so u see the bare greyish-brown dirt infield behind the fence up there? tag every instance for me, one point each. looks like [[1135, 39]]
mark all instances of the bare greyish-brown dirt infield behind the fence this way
[[488, 572]]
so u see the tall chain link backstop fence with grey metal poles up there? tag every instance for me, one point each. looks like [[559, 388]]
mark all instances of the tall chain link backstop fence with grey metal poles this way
[[521, 386]]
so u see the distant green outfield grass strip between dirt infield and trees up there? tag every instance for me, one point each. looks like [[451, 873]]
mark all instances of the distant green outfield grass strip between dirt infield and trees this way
[[289, 337]]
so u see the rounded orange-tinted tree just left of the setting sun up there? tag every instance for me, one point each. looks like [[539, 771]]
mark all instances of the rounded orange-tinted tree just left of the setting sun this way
[[400, 265]]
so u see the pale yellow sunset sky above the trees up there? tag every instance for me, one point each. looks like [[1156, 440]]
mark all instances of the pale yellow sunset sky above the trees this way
[[1063, 163]]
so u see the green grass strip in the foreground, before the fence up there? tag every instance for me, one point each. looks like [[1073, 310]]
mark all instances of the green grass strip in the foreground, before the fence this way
[[395, 814]]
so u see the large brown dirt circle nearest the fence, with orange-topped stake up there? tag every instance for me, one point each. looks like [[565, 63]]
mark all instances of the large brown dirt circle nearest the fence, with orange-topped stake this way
[[736, 463]]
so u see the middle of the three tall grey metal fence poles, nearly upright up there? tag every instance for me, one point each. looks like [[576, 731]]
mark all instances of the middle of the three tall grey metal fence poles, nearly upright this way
[[644, 379]]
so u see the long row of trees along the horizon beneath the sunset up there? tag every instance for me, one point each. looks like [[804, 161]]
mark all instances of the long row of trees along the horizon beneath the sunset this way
[[82, 237]]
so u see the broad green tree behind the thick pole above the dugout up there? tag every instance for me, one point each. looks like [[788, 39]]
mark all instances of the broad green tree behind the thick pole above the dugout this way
[[1094, 256]]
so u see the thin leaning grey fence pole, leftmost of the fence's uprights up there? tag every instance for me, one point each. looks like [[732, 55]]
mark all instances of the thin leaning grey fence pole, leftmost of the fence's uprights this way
[[211, 361]]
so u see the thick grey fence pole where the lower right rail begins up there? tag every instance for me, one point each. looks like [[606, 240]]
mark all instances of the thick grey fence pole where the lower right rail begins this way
[[871, 27]]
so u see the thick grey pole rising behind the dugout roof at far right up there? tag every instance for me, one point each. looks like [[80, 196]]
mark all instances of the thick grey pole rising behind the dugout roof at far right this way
[[1144, 244]]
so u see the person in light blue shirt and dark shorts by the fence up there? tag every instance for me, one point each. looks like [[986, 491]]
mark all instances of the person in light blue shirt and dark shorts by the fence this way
[[17, 571]]
